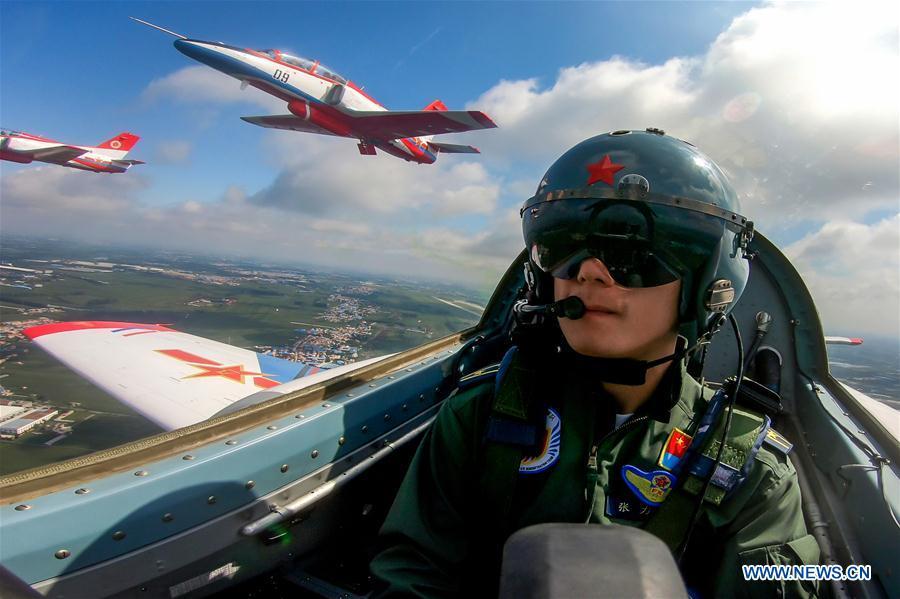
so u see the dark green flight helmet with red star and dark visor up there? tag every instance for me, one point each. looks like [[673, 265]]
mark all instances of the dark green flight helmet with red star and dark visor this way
[[654, 209]]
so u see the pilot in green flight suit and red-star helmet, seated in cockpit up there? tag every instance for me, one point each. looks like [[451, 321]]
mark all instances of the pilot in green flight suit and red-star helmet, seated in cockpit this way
[[636, 255]]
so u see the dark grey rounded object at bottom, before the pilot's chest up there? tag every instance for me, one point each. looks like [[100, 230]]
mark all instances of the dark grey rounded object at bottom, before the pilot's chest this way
[[588, 560]]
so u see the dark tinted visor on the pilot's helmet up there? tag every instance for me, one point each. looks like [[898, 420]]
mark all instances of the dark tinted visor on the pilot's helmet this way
[[641, 244]]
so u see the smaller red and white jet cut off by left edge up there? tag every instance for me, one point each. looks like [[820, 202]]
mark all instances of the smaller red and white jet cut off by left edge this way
[[108, 157]]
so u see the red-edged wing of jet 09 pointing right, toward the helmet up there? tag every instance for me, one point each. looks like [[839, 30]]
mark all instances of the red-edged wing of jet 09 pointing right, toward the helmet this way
[[396, 125]]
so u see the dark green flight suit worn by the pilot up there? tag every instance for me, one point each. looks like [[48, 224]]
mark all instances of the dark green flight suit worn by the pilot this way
[[443, 536]]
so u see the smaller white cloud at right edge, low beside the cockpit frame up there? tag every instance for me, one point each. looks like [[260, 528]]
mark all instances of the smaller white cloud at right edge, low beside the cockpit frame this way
[[853, 272]]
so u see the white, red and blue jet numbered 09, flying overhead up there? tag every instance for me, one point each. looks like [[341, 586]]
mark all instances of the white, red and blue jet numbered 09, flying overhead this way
[[321, 101]]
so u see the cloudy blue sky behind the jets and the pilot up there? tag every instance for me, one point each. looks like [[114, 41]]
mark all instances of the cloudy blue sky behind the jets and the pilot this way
[[791, 99]]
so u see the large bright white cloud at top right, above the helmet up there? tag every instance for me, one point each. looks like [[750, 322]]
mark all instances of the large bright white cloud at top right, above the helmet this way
[[794, 100]]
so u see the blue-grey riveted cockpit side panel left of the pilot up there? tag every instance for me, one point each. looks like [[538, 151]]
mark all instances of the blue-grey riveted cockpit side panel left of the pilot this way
[[134, 513]]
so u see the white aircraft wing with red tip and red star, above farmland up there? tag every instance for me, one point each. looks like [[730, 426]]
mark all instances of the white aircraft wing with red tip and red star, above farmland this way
[[173, 378]]
